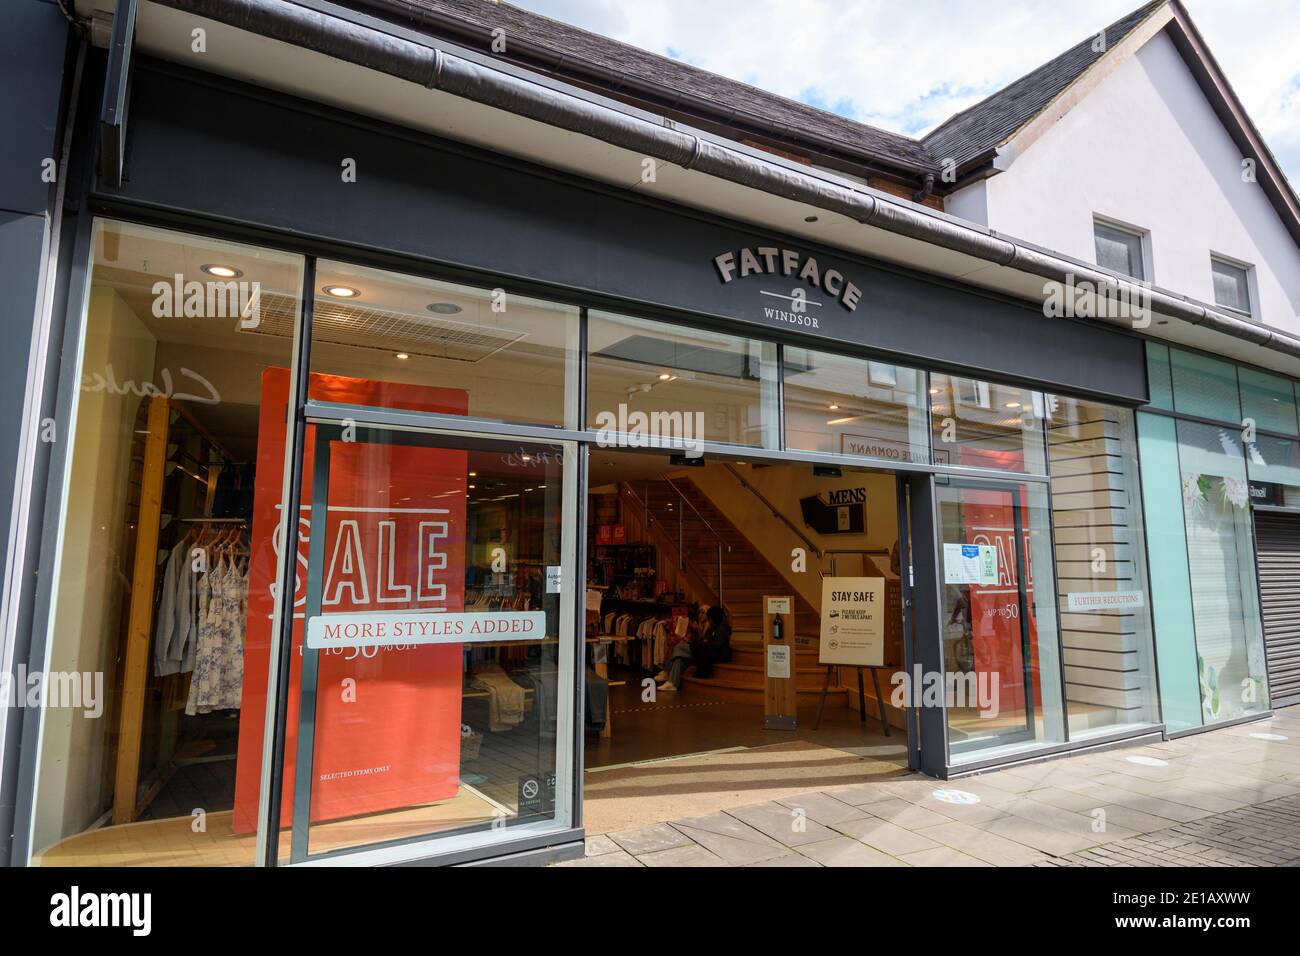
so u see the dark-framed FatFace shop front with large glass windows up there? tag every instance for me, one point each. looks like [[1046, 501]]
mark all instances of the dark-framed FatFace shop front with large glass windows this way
[[323, 525]]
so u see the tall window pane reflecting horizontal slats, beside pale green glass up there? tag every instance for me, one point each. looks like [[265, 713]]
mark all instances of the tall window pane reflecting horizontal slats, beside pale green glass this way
[[1100, 560]]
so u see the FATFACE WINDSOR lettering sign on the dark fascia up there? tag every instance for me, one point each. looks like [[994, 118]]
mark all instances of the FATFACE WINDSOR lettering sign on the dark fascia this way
[[790, 304]]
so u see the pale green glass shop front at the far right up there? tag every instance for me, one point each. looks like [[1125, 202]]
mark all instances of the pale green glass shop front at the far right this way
[[1221, 471]]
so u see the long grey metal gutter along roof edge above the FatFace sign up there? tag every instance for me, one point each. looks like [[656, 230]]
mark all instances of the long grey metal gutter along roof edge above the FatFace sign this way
[[436, 70]]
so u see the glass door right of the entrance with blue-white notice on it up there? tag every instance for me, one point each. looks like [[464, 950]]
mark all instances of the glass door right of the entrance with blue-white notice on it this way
[[1000, 642]]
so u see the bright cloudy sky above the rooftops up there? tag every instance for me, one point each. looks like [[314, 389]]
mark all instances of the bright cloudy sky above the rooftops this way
[[907, 66]]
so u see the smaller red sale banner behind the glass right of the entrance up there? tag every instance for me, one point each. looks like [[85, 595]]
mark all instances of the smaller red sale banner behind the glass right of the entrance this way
[[990, 520]]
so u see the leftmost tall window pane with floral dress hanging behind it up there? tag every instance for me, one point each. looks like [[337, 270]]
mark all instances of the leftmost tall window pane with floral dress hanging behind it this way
[[170, 455]]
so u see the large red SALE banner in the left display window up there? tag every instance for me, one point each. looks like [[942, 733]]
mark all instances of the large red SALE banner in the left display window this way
[[388, 717]]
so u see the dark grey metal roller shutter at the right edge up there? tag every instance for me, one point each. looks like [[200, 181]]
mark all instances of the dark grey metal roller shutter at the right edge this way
[[1279, 544]]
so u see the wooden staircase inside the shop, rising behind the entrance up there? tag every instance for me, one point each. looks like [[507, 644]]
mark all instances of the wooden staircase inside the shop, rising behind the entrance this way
[[684, 513]]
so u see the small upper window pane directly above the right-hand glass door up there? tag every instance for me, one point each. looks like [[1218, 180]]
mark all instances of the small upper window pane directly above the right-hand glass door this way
[[980, 425]]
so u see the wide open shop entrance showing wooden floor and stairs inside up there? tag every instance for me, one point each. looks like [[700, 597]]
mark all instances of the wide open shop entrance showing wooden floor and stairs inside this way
[[682, 733]]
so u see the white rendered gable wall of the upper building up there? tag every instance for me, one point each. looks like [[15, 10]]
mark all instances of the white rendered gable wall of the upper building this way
[[1146, 149]]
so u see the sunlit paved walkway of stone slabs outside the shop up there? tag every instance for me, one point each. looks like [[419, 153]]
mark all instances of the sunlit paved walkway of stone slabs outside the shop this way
[[1225, 798]]
